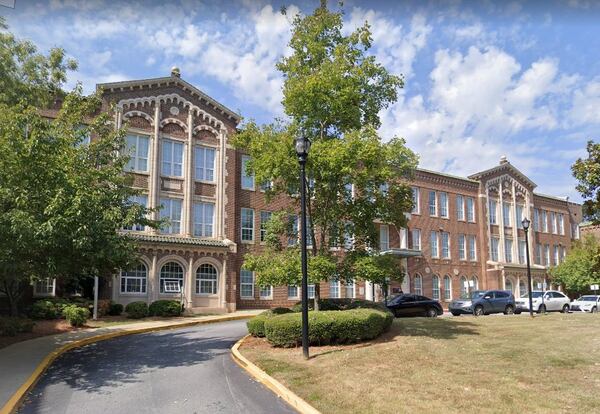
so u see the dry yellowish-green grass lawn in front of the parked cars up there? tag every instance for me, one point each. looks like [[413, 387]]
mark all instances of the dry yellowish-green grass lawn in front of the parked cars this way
[[491, 364]]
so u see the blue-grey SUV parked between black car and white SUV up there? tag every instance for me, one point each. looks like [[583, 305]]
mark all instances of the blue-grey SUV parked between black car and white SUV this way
[[483, 302]]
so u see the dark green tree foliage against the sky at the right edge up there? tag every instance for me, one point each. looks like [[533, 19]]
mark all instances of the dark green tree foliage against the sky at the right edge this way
[[587, 172]]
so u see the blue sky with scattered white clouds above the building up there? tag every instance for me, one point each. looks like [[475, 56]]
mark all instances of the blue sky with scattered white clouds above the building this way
[[482, 78]]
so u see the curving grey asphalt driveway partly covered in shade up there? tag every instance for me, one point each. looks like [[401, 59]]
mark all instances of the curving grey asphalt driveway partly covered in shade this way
[[186, 370]]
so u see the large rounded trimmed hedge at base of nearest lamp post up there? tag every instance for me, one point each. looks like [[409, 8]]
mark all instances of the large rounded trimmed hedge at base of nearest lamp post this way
[[328, 327]]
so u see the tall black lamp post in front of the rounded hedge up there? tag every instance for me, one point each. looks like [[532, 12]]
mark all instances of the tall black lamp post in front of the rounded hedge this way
[[302, 148]]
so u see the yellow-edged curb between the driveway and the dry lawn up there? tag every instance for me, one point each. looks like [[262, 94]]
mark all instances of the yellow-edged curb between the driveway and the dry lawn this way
[[271, 383]]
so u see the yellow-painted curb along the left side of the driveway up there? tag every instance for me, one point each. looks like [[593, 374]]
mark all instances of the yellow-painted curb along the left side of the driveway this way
[[15, 401]]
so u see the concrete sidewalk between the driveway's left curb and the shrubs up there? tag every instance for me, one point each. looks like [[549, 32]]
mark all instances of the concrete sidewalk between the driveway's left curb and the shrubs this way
[[20, 360]]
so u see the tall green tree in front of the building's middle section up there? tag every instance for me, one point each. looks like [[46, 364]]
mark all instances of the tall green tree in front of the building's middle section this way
[[333, 94]]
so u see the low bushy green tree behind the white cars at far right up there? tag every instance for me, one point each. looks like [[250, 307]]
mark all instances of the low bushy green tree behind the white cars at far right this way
[[581, 267]]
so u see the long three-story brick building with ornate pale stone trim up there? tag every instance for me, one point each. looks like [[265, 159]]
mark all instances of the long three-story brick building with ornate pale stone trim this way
[[462, 229]]
